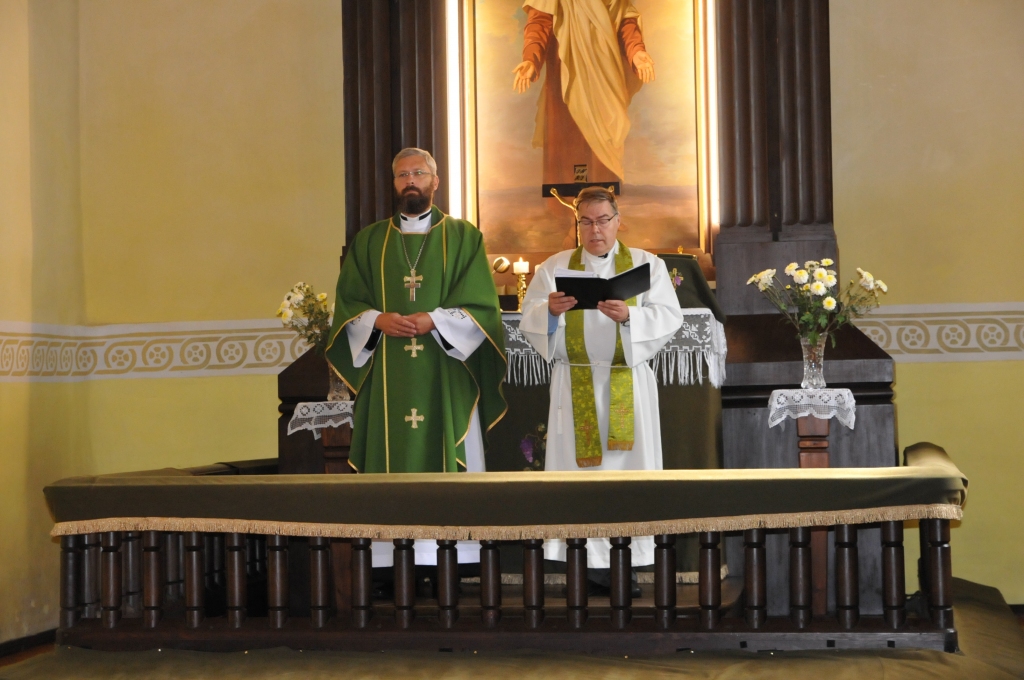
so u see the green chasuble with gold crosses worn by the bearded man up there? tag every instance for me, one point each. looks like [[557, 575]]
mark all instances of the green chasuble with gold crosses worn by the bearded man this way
[[414, 402]]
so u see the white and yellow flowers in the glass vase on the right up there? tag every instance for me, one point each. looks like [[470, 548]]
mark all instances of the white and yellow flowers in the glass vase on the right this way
[[814, 303]]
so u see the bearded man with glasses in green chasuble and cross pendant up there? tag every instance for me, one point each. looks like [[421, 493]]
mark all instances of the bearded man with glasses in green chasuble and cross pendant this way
[[417, 335]]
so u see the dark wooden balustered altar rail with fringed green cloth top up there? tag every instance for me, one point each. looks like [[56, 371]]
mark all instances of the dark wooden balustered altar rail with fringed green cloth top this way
[[199, 559]]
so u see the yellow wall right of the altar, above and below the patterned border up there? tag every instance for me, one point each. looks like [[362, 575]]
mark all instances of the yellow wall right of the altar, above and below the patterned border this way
[[928, 156]]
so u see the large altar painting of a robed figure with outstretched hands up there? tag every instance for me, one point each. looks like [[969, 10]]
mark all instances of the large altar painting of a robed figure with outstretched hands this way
[[561, 96]]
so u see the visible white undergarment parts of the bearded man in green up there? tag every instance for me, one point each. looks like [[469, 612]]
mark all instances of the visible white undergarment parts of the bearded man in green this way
[[459, 336]]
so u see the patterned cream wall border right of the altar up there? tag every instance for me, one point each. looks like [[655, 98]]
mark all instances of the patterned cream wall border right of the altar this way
[[922, 333]]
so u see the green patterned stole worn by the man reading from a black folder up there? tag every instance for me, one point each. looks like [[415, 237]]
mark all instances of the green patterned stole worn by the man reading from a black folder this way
[[588, 435]]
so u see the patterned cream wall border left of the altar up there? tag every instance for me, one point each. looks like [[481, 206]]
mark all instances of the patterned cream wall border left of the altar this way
[[39, 353]]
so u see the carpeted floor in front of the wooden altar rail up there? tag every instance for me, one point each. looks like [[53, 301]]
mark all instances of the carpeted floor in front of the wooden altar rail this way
[[992, 644]]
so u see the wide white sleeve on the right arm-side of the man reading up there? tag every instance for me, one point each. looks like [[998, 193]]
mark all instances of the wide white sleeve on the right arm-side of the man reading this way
[[655, 320]]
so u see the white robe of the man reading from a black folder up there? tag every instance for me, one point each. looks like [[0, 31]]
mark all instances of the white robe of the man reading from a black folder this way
[[653, 322]]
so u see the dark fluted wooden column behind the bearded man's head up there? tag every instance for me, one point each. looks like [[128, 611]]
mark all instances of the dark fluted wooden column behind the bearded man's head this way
[[396, 97]]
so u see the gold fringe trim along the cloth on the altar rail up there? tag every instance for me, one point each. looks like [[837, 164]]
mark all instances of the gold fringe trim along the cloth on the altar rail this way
[[605, 531]]
